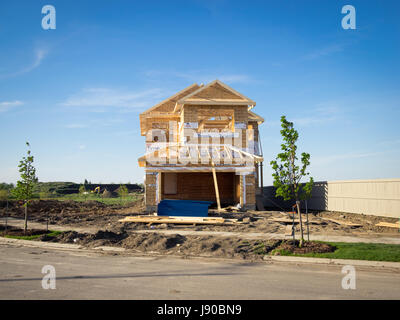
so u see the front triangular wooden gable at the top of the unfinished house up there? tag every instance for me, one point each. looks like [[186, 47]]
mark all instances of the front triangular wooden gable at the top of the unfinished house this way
[[216, 92]]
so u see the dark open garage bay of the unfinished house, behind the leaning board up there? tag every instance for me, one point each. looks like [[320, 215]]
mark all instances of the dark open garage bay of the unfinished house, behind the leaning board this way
[[200, 186]]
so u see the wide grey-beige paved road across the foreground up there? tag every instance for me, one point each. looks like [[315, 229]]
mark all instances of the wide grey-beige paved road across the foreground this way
[[81, 275]]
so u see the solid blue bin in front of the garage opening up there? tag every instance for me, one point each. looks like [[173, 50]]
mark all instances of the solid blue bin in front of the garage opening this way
[[184, 208]]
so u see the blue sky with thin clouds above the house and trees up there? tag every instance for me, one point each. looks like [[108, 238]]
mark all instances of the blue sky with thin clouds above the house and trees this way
[[75, 93]]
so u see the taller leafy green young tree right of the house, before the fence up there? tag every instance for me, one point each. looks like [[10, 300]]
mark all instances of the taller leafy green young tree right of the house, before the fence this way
[[288, 173]]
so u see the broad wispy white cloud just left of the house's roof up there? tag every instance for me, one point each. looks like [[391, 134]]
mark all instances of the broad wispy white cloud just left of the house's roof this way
[[102, 99]]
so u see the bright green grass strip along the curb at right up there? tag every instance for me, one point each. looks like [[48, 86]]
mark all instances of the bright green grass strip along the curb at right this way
[[356, 251]]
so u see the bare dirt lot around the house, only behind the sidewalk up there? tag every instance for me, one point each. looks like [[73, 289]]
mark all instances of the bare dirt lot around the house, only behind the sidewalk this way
[[97, 214]]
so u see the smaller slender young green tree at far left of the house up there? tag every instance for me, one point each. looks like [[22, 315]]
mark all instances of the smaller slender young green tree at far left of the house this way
[[24, 189]]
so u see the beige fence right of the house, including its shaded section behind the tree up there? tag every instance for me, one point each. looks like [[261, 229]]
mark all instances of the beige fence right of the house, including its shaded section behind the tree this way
[[380, 197]]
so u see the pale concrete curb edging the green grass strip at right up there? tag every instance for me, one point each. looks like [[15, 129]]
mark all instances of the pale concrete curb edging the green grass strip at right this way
[[360, 263]]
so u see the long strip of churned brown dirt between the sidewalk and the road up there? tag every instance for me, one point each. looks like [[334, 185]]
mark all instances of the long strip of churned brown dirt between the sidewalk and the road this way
[[205, 246]]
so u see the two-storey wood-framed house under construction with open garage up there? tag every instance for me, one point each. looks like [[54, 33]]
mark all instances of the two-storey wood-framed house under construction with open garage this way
[[202, 143]]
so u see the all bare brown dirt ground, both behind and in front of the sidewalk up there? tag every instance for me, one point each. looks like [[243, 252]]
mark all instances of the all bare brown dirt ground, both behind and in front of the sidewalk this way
[[111, 232]]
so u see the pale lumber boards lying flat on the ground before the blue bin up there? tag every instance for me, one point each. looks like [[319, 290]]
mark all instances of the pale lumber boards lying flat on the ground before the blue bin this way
[[179, 220]]
